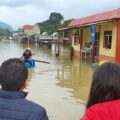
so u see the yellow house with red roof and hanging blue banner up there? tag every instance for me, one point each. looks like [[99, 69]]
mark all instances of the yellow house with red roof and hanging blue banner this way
[[104, 29]]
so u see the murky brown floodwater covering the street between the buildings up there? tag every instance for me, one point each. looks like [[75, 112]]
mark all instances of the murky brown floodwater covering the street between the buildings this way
[[62, 86]]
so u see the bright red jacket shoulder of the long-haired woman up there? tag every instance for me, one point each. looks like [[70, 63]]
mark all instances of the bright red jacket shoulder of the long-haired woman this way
[[103, 111]]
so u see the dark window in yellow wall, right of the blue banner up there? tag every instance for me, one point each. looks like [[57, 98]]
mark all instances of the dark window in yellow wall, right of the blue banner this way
[[107, 39]]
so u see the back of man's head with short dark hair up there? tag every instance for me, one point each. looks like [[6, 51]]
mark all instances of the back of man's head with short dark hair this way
[[13, 74]]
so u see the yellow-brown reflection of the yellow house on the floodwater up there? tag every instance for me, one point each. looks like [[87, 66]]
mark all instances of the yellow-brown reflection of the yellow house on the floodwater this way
[[75, 75]]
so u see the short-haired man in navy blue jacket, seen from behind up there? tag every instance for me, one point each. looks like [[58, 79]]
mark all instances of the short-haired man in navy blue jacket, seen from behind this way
[[13, 105]]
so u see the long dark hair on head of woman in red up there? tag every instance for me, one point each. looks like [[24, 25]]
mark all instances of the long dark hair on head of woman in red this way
[[105, 84]]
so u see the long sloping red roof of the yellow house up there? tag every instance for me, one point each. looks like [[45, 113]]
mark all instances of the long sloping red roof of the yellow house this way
[[96, 18]]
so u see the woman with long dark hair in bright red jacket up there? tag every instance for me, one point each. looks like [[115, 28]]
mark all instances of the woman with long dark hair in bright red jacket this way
[[104, 97]]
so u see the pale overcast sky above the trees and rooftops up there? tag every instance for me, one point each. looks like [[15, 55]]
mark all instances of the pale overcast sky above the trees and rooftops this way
[[20, 12]]
